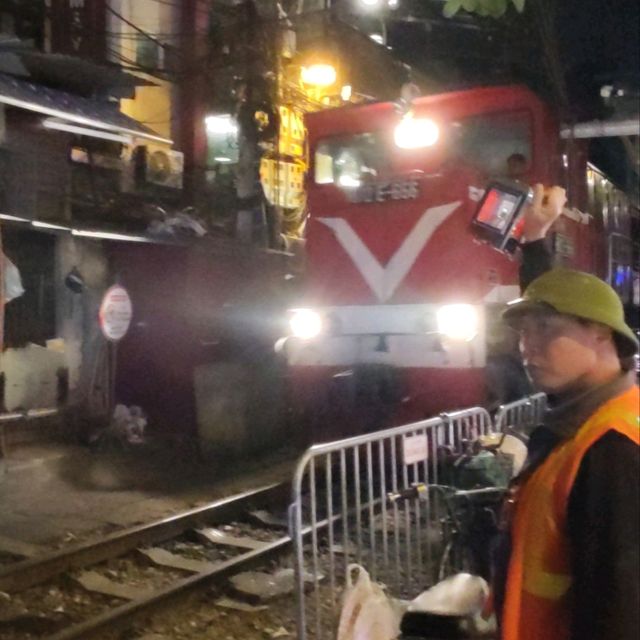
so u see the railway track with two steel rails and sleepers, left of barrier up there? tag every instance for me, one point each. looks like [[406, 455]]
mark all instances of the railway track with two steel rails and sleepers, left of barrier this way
[[168, 559]]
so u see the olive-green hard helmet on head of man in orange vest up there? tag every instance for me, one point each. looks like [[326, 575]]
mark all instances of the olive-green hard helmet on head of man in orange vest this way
[[578, 294]]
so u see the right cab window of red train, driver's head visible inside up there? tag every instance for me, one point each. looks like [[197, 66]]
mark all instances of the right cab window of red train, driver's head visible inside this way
[[489, 142]]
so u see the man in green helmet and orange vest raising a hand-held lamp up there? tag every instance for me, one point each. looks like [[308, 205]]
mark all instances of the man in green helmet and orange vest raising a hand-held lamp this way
[[568, 565]]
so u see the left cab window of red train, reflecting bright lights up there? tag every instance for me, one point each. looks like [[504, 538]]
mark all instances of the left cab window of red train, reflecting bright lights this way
[[350, 161]]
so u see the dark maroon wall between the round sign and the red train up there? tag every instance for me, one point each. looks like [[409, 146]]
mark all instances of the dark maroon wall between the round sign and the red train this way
[[199, 355]]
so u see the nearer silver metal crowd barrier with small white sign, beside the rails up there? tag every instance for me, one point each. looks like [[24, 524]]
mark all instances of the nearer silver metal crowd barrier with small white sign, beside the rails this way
[[355, 500]]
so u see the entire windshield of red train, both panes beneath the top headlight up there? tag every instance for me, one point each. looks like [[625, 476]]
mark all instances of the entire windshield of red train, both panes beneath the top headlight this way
[[496, 144]]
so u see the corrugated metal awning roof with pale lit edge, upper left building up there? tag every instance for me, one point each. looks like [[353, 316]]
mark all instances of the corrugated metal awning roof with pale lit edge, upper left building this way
[[76, 109]]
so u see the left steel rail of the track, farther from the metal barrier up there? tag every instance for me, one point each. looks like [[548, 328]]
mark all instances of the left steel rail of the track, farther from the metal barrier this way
[[27, 573]]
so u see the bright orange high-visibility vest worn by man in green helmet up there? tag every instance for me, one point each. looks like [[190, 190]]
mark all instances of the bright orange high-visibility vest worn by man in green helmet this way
[[539, 575]]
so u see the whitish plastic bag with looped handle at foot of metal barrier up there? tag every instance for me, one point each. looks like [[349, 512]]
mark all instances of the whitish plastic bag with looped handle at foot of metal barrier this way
[[367, 613]]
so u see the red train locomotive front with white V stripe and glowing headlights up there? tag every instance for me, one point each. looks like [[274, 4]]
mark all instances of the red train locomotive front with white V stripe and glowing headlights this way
[[389, 246]]
